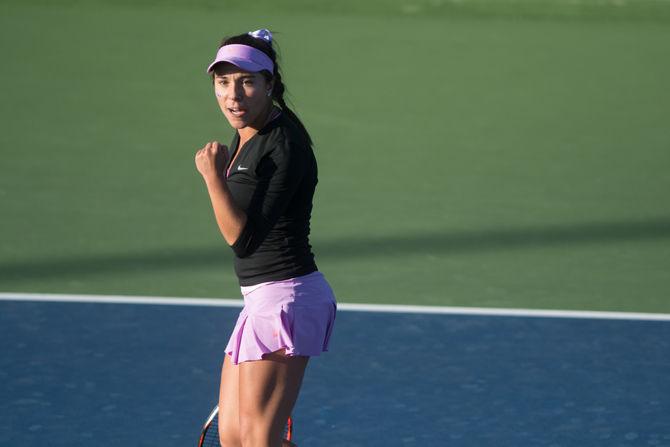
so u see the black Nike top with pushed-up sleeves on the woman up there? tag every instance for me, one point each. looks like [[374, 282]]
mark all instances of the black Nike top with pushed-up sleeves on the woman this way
[[273, 180]]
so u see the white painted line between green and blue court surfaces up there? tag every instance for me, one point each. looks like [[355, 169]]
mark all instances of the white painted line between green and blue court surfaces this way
[[388, 308]]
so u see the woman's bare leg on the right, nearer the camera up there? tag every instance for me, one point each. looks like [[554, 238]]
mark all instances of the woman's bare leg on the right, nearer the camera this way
[[268, 391]]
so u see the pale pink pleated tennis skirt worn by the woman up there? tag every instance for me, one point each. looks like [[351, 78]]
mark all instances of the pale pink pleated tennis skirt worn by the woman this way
[[295, 314]]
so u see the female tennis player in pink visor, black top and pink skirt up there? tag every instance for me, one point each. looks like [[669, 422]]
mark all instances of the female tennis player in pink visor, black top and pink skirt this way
[[261, 190]]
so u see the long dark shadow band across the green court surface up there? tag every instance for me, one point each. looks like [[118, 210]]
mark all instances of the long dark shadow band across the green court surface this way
[[450, 243]]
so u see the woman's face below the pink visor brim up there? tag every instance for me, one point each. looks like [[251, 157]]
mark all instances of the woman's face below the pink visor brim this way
[[242, 96]]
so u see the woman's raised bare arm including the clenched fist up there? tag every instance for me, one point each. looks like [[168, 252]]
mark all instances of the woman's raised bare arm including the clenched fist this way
[[211, 161]]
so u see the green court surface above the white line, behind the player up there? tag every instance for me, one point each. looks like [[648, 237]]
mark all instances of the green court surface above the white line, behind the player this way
[[505, 154]]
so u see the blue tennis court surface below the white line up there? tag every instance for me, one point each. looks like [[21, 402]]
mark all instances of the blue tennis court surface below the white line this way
[[81, 374]]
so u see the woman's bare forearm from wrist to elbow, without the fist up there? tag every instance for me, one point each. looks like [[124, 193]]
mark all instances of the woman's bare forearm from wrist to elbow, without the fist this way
[[229, 217]]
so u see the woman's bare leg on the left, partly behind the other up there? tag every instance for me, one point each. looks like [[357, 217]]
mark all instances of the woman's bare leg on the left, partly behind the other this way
[[229, 414]]
